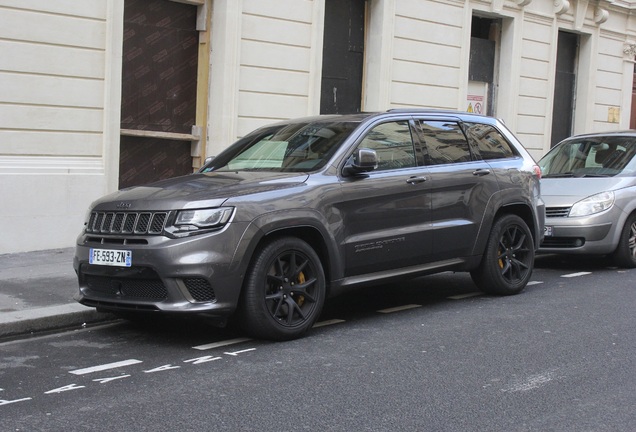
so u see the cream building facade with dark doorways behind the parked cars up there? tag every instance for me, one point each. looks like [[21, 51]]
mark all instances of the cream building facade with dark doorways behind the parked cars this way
[[101, 94]]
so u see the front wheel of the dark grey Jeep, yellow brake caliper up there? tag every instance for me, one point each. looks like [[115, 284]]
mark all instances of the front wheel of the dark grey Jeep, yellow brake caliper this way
[[284, 291]]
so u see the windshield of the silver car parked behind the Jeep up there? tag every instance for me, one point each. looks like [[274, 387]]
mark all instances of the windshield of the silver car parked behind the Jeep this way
[[606, 156]]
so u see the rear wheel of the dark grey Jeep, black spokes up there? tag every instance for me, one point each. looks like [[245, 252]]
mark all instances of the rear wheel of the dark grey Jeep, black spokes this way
[[508, 260]]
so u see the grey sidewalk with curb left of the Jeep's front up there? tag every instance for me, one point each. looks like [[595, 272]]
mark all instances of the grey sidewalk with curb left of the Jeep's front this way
[[36, 294]]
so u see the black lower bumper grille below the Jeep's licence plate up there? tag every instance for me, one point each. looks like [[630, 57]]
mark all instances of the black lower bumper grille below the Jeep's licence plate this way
[[126, 288]]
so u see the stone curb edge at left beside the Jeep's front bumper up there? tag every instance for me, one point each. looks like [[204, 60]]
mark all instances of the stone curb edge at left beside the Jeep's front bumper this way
[[31, 321]]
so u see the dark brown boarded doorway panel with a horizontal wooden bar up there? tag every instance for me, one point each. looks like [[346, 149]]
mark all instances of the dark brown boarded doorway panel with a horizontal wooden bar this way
[[159, 90]]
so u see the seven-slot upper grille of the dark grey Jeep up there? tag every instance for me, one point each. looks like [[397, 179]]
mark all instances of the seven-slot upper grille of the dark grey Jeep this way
[[126, 222]]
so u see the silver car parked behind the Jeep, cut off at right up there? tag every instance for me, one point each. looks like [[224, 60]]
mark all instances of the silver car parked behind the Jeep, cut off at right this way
[[589, 188]]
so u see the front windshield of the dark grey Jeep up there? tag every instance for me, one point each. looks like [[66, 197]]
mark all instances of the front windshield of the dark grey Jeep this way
[[296, 147]]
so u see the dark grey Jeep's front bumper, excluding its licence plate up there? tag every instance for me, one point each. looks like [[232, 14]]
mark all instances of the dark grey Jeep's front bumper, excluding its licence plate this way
[[196, 274]]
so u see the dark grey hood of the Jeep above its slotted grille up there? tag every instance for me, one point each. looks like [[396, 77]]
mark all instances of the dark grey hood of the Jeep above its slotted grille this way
[[197, 190]]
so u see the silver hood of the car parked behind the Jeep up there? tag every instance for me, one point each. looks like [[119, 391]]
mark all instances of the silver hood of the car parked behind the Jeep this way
[[562, 192]]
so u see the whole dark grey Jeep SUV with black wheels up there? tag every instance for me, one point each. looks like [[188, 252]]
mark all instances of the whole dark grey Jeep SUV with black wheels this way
[[302, 209]]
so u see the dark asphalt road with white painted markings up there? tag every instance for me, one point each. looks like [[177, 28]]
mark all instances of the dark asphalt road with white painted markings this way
[[428, 355]]
